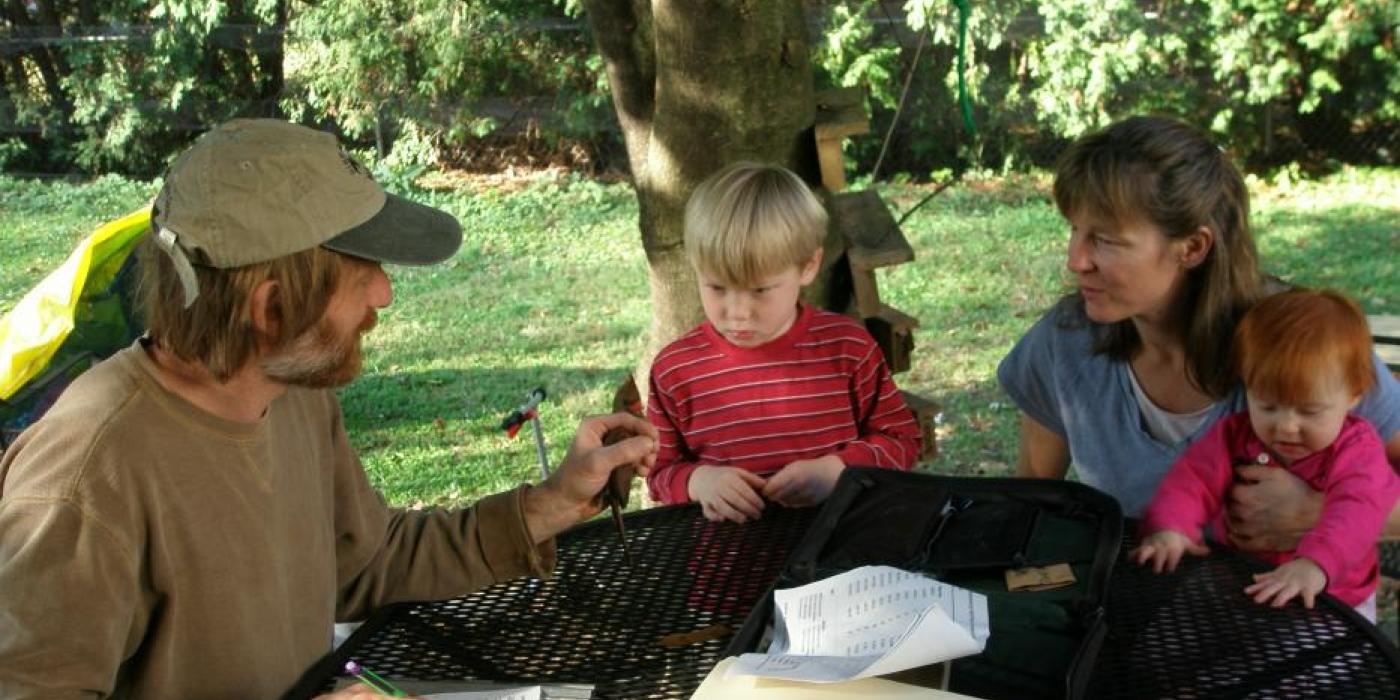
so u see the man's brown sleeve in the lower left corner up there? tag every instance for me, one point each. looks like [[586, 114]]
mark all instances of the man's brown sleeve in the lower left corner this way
[[69, 601]]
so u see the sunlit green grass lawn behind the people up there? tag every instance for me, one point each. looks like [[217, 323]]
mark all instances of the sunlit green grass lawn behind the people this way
[[551, 289]]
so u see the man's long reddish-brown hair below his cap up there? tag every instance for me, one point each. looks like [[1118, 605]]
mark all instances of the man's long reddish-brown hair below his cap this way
[[216, 331]]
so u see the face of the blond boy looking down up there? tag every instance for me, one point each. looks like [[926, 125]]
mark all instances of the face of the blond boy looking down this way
[[752, 316]]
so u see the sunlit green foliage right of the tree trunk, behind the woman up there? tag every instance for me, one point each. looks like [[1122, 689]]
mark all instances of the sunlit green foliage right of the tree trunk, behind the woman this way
[[1263, 75]]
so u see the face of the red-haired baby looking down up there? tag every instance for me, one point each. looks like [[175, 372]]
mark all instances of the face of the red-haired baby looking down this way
[[1291, 433]]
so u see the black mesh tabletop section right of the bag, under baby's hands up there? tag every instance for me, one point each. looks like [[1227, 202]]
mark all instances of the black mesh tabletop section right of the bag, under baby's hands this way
[[1196, 635]]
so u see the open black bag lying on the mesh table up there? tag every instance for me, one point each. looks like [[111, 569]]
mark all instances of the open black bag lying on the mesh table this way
[[968, 533]]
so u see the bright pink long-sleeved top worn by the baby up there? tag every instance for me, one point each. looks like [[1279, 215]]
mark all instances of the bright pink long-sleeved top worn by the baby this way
[[1353, 474]]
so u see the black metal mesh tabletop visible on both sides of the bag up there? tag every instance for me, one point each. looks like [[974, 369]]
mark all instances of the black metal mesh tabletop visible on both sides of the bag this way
[[1186, 635]]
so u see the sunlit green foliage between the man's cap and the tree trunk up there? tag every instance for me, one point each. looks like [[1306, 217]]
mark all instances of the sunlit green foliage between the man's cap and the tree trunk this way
[[387, 68]]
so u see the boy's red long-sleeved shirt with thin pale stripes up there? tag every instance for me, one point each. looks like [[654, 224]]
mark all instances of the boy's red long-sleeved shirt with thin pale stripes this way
[[820, 390]]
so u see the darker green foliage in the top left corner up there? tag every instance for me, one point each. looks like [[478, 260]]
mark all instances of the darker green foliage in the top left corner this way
[[124, 93]]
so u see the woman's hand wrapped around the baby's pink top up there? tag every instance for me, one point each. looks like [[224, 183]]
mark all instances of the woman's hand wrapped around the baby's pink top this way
[[1270, 509]]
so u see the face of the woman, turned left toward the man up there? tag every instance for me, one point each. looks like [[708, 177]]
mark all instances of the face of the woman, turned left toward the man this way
[[1125, 271]]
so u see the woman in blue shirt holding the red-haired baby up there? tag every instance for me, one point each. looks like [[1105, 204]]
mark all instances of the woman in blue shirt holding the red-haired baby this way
[[1122, 374]]
